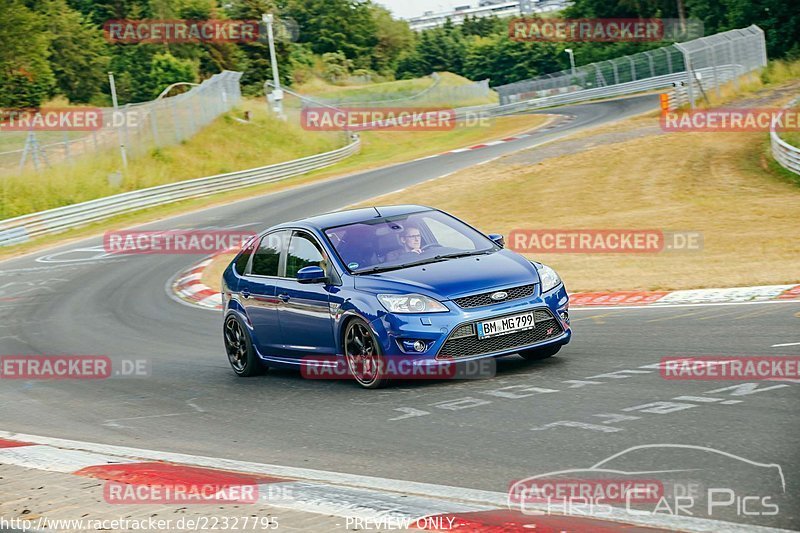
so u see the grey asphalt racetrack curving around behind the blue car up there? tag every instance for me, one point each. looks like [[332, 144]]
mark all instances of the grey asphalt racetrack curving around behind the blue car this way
[[595, 399]]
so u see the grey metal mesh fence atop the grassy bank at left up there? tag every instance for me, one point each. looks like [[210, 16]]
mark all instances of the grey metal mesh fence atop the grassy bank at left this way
[[136, 128]]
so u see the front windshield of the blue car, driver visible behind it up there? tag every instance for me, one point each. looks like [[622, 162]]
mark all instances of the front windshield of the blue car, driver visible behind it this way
[[390, 243]]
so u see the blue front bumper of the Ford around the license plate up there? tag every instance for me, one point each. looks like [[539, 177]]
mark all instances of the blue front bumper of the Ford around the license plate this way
[[452, 337]]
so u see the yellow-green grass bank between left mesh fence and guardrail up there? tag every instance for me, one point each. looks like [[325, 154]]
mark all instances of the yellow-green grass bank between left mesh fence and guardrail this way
[[225, 146]]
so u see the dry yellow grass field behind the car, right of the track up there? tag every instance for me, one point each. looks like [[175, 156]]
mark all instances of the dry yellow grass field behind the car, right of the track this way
[[719, 184]]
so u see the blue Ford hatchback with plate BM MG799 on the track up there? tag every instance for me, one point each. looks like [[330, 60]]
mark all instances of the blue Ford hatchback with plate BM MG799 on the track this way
[[364, 285]]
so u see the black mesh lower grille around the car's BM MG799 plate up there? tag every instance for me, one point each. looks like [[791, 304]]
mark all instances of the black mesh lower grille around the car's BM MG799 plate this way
[[547, 327]]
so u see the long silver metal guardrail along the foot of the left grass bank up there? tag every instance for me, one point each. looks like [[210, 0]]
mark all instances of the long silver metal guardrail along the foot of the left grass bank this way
[[25, 227]]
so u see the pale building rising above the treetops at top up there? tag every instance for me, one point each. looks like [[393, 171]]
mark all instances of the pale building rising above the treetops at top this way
[[485, 8]]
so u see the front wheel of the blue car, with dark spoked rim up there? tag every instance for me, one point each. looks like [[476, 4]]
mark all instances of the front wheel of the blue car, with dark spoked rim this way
[[363, 355]]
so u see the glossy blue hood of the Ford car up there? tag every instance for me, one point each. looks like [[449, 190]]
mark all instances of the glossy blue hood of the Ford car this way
[[455, 277]]
